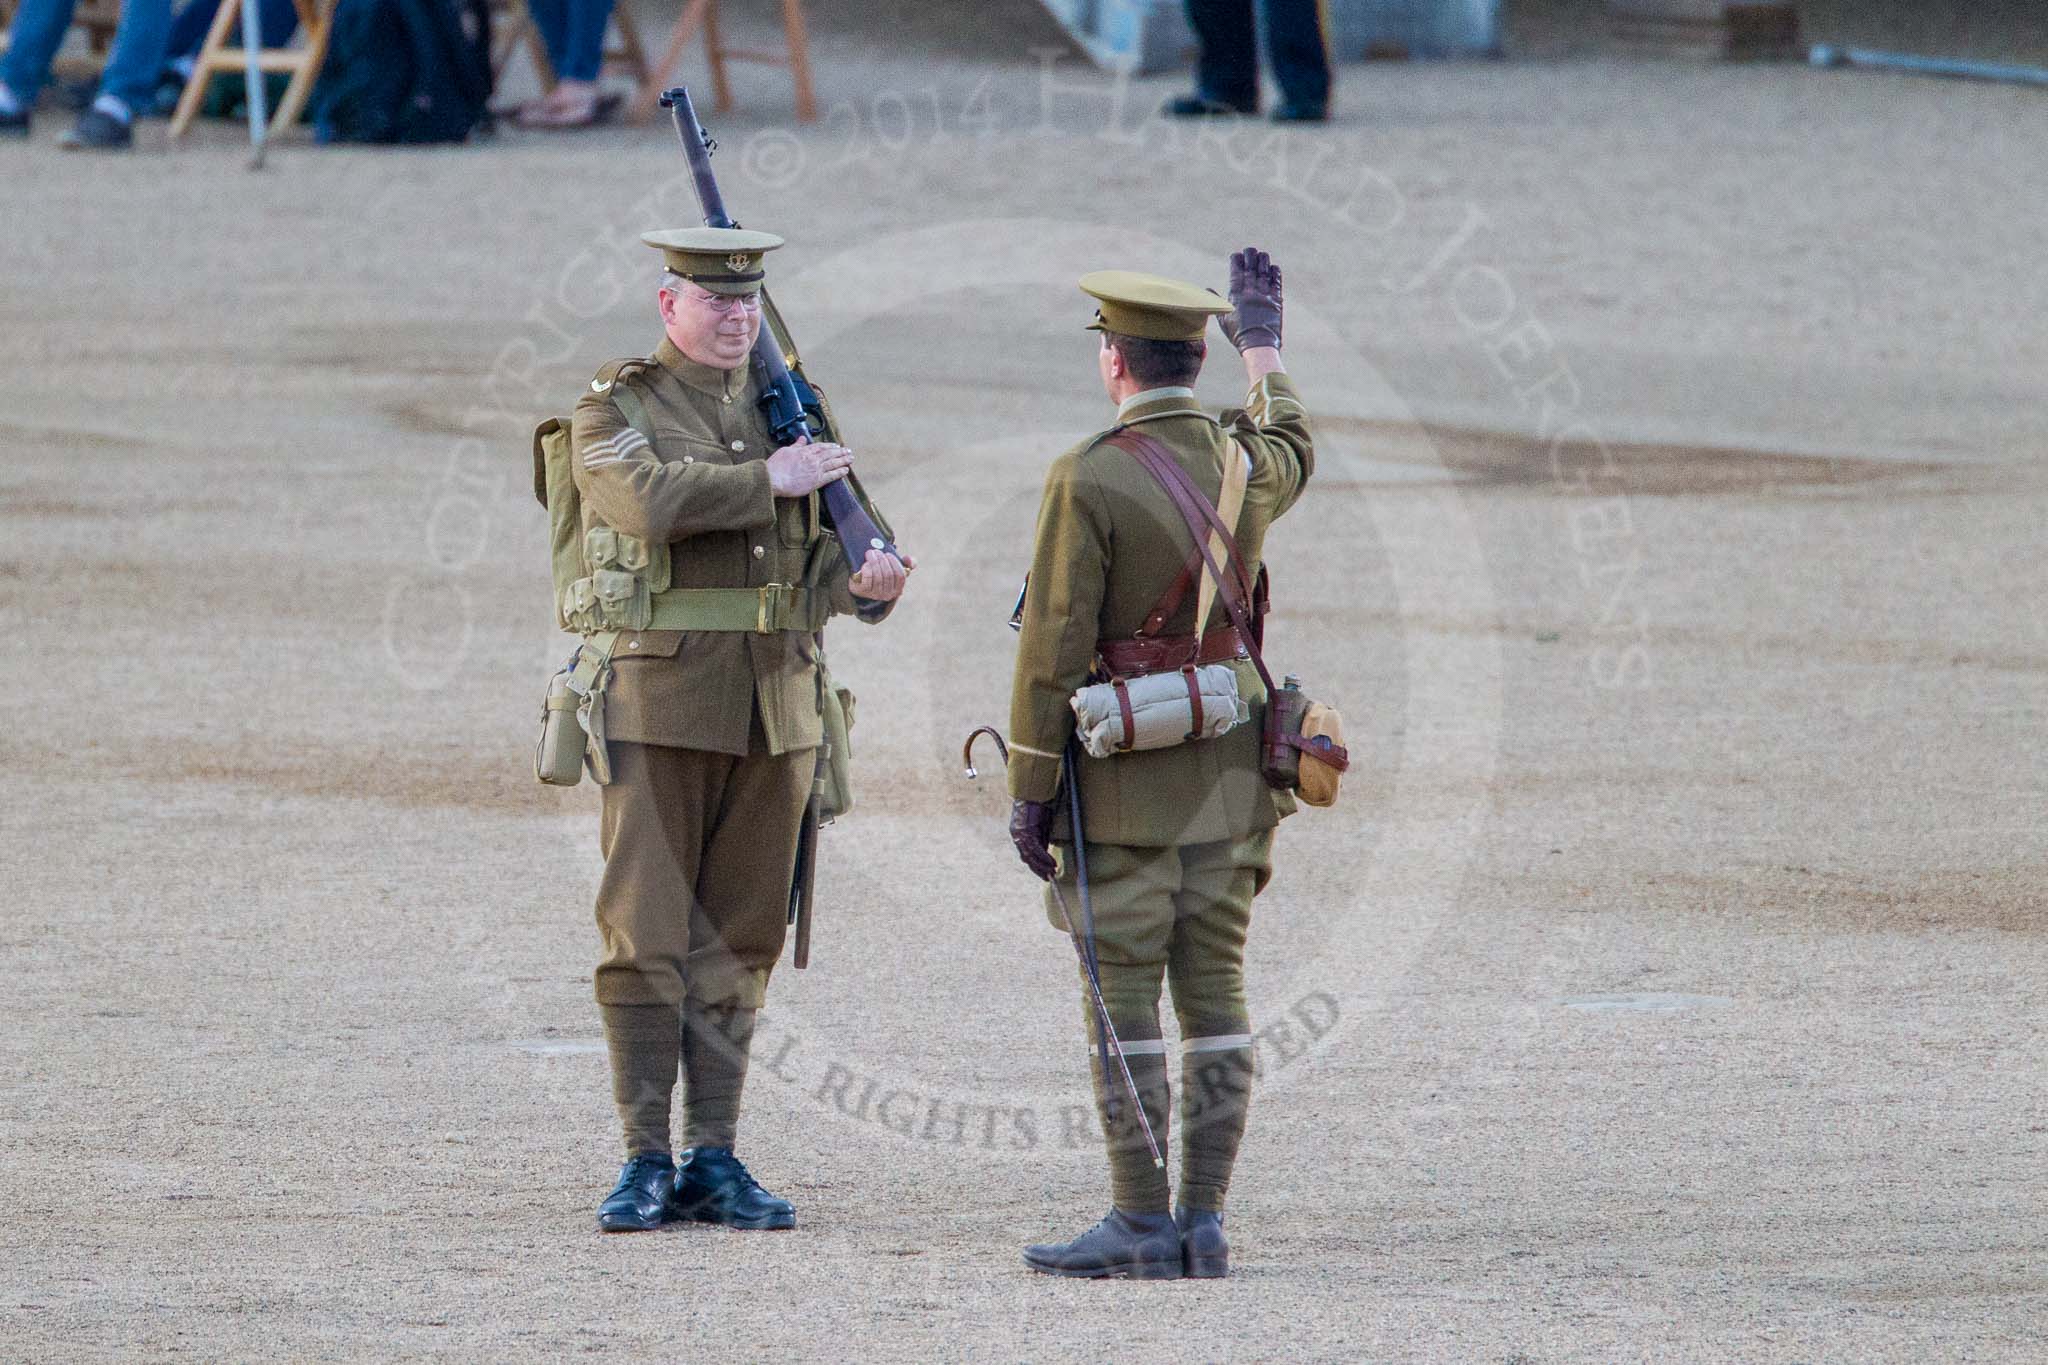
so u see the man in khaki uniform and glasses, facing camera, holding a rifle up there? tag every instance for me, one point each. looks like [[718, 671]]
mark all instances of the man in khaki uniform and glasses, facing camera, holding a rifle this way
[[712, 732]]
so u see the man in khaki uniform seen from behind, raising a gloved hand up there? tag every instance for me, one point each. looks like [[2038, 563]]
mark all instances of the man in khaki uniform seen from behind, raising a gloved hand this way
[[1179, 838]]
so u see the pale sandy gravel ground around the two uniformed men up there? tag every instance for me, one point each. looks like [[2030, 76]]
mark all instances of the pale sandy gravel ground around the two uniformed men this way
[[1668, 987]]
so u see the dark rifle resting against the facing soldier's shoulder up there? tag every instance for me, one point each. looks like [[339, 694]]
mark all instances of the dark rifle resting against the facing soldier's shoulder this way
[[796, 412]]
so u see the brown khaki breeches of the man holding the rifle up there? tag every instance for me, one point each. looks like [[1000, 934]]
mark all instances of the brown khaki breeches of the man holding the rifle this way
[[699, 852]]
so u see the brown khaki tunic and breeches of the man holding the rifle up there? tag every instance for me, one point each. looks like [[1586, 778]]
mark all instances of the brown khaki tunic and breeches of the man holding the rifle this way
[[712, 732]]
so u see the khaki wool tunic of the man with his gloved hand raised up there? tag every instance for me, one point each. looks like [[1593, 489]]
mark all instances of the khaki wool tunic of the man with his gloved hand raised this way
[[1107, 549]]
